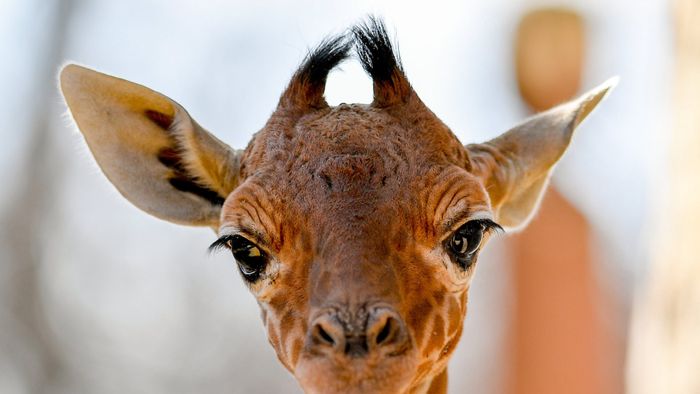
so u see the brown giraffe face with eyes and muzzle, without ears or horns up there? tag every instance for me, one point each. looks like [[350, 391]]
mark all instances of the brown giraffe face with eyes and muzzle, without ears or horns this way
[[364, 237]]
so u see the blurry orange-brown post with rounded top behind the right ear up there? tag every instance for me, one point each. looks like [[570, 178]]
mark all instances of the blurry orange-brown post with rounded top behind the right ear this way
[[558, 340]]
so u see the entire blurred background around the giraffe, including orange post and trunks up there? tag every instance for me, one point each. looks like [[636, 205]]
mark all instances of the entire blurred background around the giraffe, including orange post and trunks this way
[[98, 297]]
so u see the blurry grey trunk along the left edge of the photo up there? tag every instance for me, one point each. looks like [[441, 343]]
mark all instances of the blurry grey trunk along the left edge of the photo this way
[[28, 341]]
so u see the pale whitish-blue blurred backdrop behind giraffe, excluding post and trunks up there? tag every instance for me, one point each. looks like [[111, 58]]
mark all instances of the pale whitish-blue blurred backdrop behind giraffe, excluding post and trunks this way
[[136, 305]]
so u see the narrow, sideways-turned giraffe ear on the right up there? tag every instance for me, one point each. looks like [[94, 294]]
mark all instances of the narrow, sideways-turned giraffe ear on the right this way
[[515, 167]]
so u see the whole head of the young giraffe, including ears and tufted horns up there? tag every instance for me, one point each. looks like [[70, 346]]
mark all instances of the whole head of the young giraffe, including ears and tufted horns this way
[[356, 227]]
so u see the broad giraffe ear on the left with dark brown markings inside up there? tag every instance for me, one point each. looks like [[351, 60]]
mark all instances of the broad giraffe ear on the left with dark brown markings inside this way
[[147, 145]]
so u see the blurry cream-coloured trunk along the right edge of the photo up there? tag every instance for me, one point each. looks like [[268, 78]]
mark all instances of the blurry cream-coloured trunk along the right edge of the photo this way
[[665, 345]]
